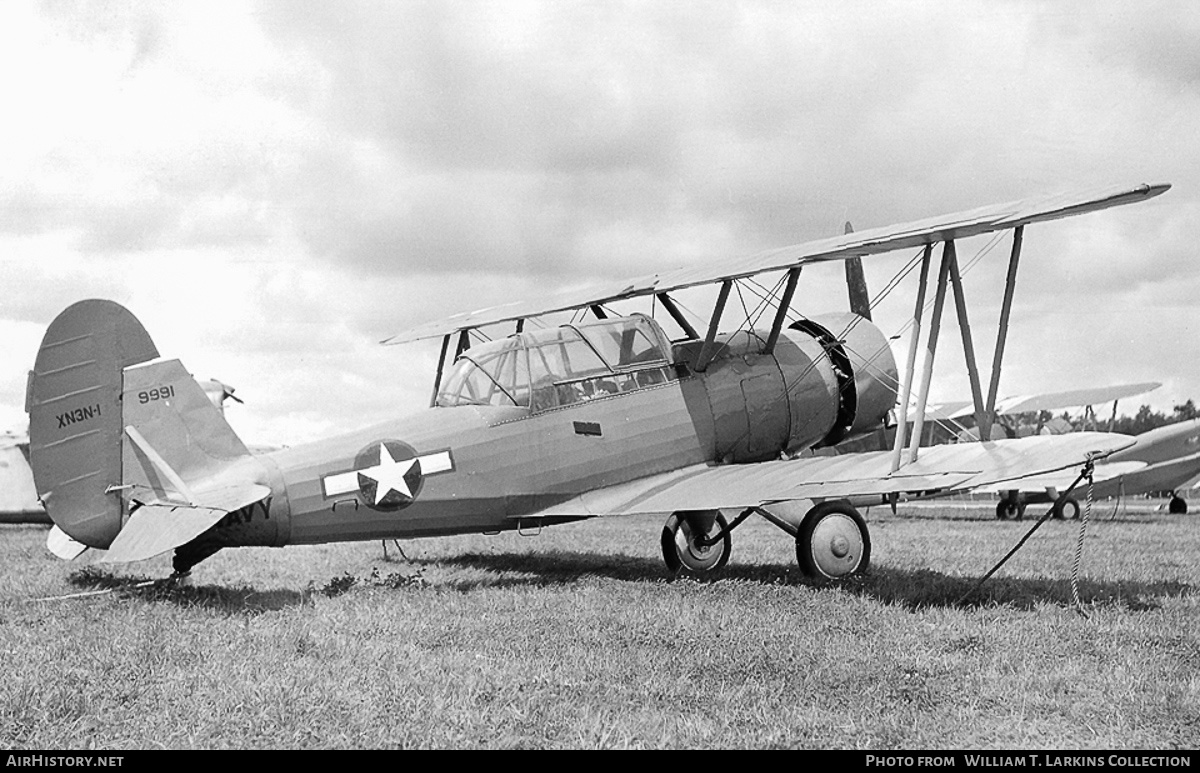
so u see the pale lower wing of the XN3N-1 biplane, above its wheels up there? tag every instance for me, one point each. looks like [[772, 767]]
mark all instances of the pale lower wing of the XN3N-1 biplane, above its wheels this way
[[940, 470]]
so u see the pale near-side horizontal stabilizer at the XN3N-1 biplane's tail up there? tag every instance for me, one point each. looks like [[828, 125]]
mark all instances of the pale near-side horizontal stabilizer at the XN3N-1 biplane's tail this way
[[155, 529]]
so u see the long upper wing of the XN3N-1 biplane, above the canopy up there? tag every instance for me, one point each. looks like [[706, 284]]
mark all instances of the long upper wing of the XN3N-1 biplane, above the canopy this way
[[863, 243]]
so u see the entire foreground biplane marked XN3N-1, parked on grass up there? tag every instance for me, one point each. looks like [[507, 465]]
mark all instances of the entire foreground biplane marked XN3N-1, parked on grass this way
[[542, 427]]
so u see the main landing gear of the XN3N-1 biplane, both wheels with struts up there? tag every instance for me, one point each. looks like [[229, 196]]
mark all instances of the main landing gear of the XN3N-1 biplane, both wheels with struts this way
[[832, 542]]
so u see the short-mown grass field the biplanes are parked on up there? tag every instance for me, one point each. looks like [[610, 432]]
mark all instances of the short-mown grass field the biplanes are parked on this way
[[575, 639]]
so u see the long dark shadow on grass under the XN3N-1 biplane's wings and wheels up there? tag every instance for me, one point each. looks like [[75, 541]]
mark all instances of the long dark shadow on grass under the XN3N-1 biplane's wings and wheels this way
[[909, 589]]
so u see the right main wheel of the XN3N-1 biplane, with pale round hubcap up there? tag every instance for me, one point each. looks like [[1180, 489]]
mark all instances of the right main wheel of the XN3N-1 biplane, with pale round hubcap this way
[[833, 542]]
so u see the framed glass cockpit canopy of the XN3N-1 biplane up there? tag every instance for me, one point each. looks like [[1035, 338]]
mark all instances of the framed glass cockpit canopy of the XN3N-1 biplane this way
[[561, 367]]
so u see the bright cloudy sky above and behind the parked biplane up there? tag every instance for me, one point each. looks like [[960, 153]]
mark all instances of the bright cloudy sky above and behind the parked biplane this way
[[274, 188]]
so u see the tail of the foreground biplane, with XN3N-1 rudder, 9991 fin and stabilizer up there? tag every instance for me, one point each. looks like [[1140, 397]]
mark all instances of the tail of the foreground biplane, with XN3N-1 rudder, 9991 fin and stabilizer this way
[[128, 456]]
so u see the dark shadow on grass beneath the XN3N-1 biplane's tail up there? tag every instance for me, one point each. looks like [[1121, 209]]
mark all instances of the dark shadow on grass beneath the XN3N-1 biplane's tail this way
[[229, 600]]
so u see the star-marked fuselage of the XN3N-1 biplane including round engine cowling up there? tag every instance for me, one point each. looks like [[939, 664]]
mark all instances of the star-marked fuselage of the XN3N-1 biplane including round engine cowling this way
[[472, 469]]
